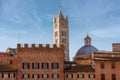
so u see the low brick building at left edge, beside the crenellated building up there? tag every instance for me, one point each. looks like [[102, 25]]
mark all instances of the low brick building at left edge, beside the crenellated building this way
[[8, 67]]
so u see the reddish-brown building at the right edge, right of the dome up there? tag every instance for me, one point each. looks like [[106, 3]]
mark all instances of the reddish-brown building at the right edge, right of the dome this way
[[107, 63]]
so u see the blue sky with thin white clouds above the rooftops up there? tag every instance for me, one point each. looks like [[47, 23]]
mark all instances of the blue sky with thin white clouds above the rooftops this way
[[33, 19]]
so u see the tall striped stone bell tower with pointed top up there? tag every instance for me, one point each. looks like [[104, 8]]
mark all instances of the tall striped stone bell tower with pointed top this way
[[61, 33]]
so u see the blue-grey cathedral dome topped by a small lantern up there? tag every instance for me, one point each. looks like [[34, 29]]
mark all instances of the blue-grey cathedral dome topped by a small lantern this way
[[87, 49]]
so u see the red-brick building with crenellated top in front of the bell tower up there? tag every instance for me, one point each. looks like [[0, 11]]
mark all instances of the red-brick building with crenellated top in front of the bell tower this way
[[40, 54]]
